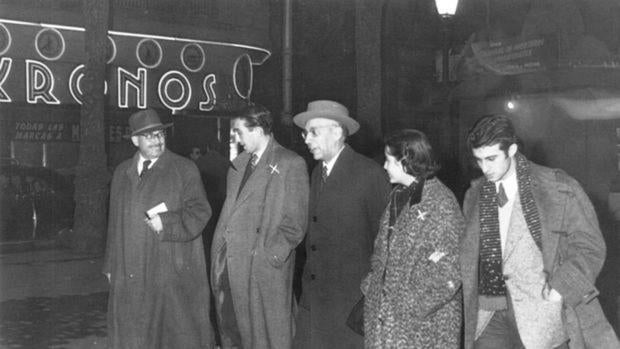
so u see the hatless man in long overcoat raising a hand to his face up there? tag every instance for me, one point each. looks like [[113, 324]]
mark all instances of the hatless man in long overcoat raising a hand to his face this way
[[253, 251]]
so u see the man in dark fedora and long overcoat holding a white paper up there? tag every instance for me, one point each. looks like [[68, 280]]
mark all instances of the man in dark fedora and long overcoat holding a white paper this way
[[154, 260]]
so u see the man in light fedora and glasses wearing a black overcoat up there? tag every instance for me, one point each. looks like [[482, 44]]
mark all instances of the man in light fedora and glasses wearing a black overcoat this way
[[348, 194]]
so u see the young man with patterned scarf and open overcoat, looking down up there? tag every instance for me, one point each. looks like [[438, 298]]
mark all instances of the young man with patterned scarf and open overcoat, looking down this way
[[531, 253]]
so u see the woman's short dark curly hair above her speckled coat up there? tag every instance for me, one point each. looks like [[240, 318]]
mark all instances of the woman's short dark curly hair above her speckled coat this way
[[414, 150]]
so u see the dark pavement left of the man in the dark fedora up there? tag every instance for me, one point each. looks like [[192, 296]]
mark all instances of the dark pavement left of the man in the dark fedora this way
[[52, 299]]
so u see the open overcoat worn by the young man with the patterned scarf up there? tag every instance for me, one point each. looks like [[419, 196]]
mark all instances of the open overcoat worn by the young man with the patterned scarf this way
[[573, 254]]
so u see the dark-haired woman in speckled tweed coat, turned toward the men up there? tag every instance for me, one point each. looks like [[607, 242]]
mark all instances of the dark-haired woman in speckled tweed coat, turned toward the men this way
[[412, 292]]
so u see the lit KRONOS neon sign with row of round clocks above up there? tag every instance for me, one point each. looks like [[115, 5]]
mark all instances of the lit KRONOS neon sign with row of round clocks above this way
[[43, 64]]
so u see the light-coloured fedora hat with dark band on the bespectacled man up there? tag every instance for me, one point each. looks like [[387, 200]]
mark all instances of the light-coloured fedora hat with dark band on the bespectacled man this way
[[328, 110]]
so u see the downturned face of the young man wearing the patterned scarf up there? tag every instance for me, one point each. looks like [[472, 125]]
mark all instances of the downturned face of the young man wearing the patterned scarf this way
[[494, 162]]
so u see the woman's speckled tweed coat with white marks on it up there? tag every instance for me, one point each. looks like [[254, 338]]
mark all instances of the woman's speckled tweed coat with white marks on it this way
[[413, 290]]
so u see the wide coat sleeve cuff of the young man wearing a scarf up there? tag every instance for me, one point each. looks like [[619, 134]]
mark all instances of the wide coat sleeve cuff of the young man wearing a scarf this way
[[574, 287]]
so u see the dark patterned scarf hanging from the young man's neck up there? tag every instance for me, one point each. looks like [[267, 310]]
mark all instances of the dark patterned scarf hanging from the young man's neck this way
[[491, 281]]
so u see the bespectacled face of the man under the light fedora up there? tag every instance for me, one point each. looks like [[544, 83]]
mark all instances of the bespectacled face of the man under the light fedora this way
[[322, 138]]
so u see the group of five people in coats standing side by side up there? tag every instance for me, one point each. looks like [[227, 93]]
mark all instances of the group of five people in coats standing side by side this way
[[387, 266]]
